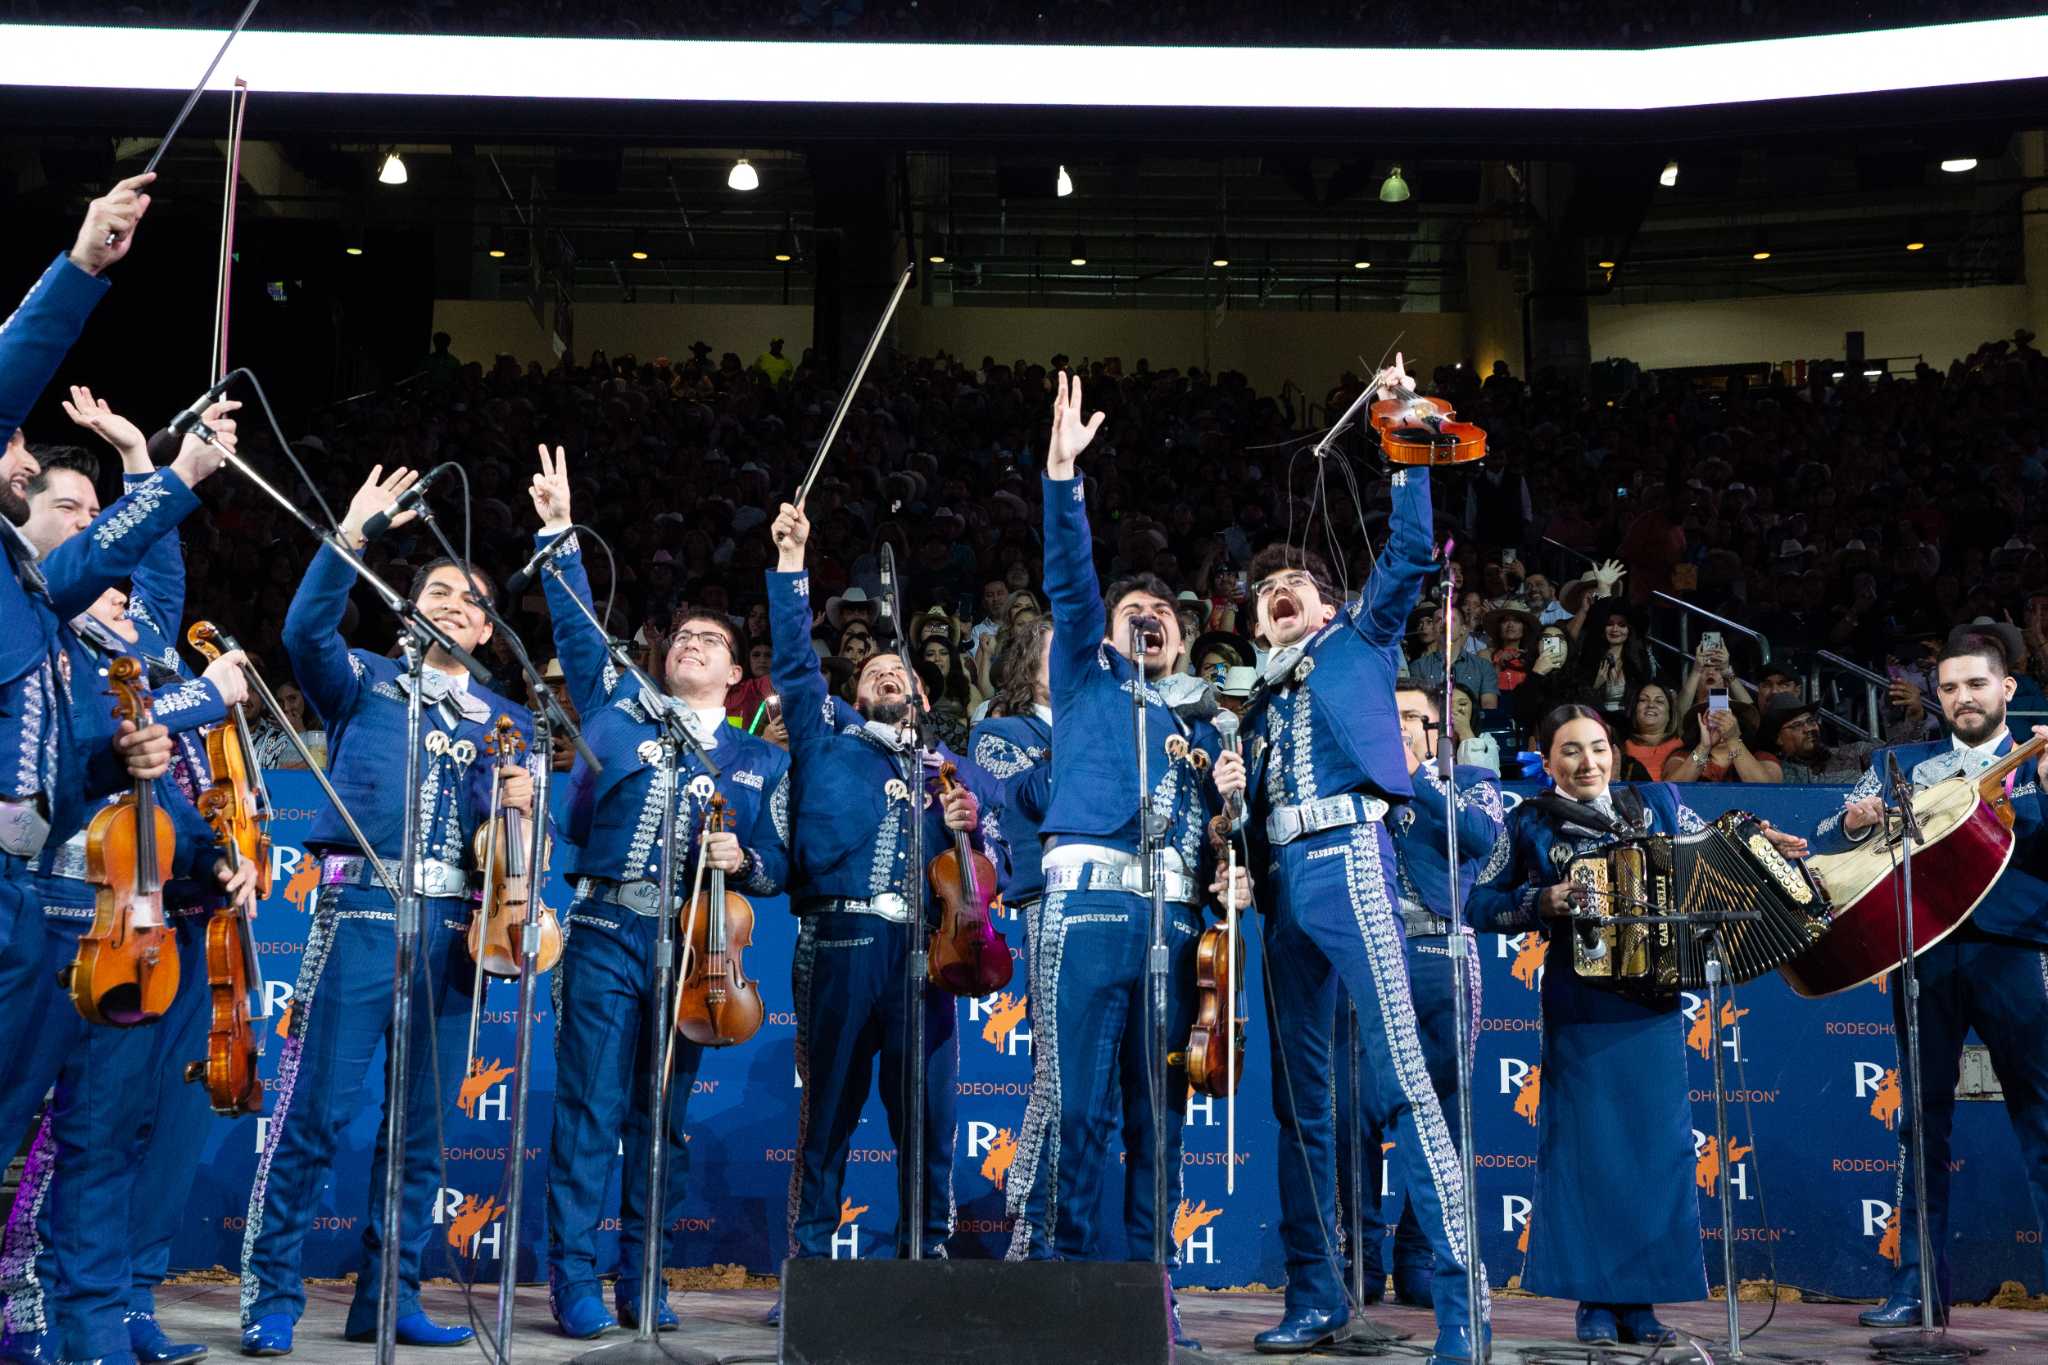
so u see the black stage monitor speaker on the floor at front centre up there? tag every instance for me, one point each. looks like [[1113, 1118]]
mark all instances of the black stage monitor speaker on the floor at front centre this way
[[923, 1313]]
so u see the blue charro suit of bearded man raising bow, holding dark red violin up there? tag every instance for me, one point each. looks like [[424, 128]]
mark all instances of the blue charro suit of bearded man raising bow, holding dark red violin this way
[[853, 889]]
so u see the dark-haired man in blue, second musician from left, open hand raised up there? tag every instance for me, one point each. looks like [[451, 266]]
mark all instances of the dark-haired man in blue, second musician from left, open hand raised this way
[[81, 1249]]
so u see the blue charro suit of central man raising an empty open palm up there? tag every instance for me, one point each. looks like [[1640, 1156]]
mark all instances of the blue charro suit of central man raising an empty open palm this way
[[1091, 1004]]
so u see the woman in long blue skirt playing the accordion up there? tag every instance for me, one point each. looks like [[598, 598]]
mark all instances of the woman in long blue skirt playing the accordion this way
[[1613, 1225]]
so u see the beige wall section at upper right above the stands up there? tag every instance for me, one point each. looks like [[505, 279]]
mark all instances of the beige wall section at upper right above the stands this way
[[1936, 322]]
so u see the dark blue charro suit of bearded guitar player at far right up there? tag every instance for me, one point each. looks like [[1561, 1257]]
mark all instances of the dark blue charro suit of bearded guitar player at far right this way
[[1992, 977]]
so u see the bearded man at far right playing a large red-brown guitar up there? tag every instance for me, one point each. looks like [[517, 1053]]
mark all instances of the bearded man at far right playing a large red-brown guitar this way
[[1992, 975]]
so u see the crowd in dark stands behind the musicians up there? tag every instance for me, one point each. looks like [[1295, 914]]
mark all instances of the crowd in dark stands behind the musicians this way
[[1865, 519]]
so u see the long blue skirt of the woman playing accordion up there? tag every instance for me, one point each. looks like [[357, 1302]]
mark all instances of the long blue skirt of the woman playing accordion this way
[[1615, 1217]]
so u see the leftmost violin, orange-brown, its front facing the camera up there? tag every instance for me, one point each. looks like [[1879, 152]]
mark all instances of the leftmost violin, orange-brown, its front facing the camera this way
[[126, 971]]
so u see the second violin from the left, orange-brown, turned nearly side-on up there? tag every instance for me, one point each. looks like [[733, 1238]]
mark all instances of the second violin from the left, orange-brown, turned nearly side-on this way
[[239, 809]]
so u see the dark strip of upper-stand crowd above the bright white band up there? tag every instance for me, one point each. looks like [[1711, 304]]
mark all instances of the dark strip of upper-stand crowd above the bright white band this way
[[1449, 24]]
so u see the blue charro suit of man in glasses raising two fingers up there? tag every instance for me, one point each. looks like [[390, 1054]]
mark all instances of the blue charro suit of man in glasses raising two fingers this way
[[605, 985]]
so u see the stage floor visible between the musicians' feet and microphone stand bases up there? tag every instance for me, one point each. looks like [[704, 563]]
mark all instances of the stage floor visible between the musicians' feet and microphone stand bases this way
[[730, 1325]]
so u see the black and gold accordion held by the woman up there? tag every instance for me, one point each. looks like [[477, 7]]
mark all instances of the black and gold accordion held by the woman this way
[[1762, 908]]
